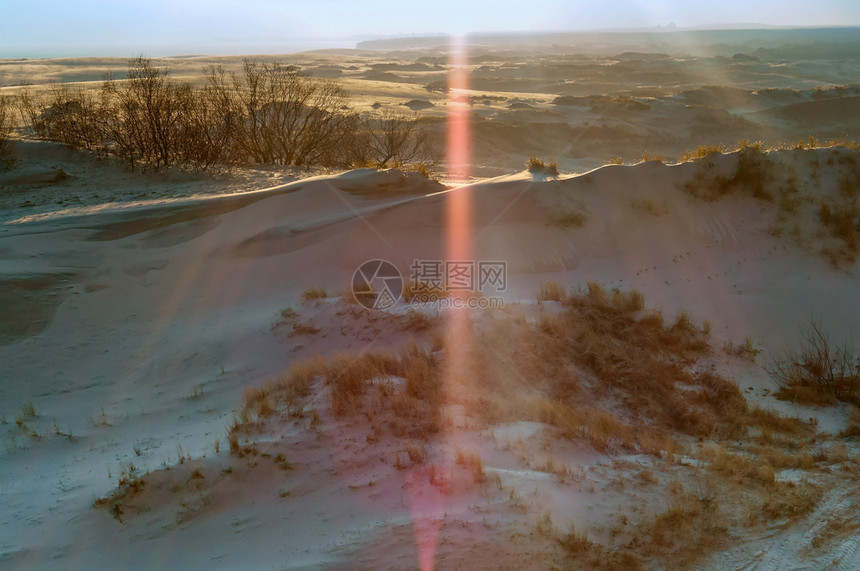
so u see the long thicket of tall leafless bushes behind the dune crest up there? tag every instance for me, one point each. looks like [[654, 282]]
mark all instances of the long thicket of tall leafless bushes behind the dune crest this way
[[269, 113]]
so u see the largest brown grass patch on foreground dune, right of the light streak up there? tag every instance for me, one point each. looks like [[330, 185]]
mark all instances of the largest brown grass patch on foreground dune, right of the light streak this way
[[606, 347]]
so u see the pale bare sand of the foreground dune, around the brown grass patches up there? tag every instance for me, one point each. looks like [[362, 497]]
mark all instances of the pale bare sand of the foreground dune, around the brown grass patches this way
[[133, 331]]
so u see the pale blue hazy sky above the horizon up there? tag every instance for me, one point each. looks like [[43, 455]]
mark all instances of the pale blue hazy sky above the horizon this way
[[161, 27]]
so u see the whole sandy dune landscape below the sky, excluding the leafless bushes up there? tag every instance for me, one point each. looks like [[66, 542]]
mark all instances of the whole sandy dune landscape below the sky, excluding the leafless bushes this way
[[174, 345]]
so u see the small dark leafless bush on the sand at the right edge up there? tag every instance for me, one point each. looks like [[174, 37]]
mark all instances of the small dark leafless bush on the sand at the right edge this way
[[819, 368]]
